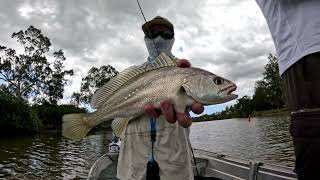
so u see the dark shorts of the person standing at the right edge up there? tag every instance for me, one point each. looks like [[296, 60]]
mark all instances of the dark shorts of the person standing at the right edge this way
[[302, 91]]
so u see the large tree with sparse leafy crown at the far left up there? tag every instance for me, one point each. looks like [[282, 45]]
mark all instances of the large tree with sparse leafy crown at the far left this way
[[30, 74]]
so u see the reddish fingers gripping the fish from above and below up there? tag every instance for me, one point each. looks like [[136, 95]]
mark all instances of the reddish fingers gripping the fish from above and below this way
[[167, 108]]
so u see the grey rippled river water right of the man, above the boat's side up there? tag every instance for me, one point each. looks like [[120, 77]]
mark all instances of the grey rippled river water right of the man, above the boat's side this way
[[262, 139]]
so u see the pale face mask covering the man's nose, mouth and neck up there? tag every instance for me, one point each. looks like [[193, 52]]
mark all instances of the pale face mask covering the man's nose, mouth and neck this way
[[162, 46]]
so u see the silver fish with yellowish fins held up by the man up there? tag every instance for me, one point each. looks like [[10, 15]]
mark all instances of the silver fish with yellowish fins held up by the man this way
[[126, 94]]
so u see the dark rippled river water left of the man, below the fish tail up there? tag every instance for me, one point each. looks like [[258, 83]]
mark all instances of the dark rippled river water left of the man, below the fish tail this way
[[50, 156]]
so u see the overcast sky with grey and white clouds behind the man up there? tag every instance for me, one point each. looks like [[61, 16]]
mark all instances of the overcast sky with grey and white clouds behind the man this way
[[227, 37]]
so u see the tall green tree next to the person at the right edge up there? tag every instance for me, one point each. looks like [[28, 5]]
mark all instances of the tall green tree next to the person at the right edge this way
[[272, 81]]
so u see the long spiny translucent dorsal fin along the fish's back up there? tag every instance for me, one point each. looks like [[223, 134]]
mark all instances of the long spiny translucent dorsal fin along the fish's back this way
[[106, 91]]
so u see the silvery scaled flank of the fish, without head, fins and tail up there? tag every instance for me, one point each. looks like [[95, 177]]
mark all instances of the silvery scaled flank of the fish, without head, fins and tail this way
[[151, 91]]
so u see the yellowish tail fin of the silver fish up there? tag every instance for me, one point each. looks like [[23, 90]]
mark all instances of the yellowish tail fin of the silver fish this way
[[76, 126]]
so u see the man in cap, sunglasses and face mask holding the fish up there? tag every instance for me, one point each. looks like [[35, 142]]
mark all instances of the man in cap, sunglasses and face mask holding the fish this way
[[172, 148]]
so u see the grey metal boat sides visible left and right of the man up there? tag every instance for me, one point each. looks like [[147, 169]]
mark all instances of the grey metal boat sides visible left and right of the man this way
[[210, 165]]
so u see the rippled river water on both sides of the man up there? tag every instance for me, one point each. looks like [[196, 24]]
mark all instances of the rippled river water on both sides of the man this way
[[50, 156]]
